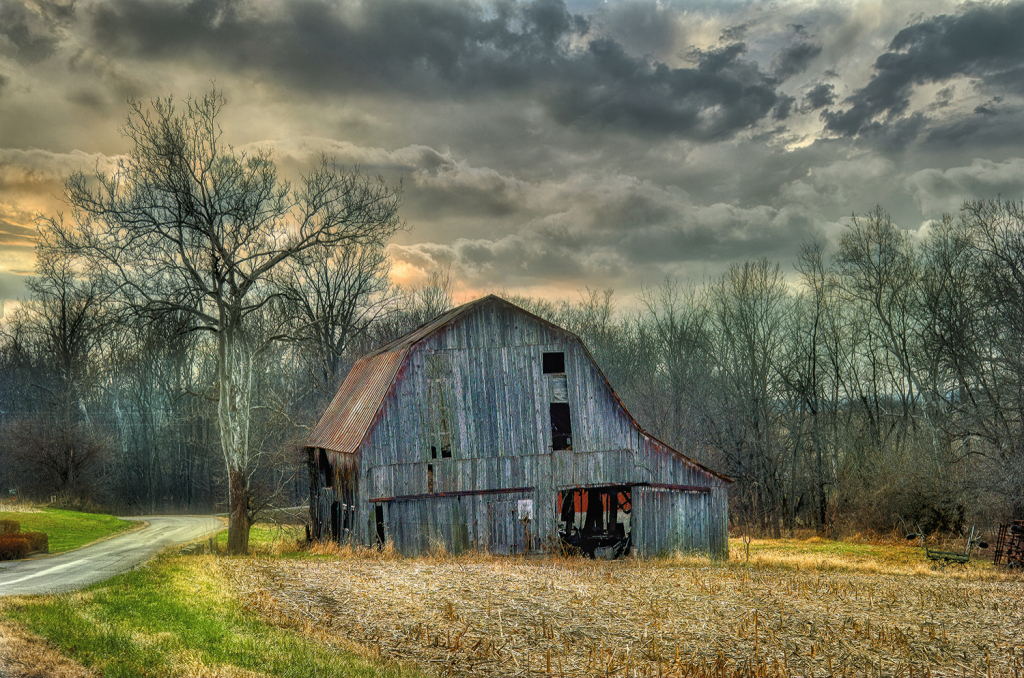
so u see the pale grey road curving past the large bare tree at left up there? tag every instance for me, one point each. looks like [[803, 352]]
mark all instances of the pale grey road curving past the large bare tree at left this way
[[94, 564]]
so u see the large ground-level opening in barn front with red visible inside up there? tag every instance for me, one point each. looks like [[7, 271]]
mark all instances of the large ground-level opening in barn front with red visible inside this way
[[596, 522]]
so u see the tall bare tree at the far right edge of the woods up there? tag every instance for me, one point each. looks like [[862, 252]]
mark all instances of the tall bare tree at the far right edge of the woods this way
[[973, 292]]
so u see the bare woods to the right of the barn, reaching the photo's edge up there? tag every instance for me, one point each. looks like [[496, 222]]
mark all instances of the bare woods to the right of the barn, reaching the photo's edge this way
[[882, 389]]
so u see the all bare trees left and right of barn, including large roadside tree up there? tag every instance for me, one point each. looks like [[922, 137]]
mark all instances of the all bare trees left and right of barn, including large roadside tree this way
[[195, 314]]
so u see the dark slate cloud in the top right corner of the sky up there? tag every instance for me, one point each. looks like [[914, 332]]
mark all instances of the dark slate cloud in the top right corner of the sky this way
[[985, 44]]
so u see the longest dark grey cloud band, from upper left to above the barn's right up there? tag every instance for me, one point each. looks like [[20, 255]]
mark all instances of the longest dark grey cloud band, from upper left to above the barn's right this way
[[445, 51]]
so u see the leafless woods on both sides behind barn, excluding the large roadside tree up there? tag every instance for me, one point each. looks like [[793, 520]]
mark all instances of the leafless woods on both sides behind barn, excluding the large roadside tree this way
[[877, 385]]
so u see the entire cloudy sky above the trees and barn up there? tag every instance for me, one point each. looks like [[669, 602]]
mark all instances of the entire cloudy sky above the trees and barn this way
[[550, 146]]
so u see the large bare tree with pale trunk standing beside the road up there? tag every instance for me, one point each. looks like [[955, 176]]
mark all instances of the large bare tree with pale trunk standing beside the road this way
[[187, 225]]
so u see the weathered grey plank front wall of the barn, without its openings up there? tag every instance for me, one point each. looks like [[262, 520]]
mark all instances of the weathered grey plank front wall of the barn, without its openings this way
[[478, 388]]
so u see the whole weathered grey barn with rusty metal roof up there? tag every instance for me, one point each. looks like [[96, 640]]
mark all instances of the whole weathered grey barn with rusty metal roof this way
[[491, 429]]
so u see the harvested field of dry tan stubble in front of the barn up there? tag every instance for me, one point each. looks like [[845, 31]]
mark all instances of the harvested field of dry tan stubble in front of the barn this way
[[791, 609]]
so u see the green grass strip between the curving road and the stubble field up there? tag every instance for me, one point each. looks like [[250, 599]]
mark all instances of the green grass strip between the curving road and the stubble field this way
[[178, 617]]
